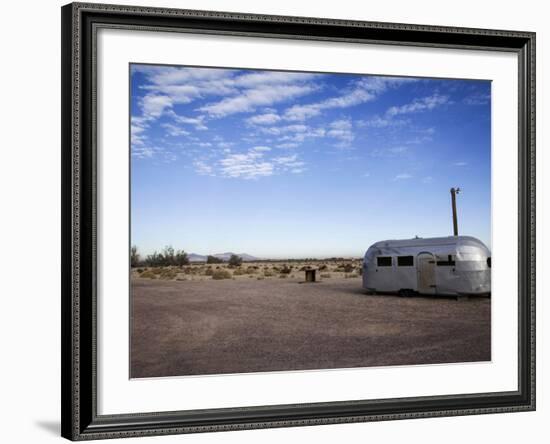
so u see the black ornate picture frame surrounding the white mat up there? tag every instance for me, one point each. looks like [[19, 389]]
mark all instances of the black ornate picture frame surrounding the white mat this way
[[80, 420]]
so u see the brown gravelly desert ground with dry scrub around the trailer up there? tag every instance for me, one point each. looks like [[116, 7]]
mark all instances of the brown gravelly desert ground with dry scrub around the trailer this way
[[261, 317]]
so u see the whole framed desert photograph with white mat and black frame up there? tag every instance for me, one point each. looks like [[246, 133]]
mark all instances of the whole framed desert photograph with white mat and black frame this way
[[280, 221]]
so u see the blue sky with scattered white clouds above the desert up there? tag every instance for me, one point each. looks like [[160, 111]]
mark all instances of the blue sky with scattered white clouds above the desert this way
[[284, 164]]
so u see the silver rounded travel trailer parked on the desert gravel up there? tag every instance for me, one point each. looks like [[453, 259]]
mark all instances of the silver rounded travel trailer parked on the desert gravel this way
[[453, 265]]
